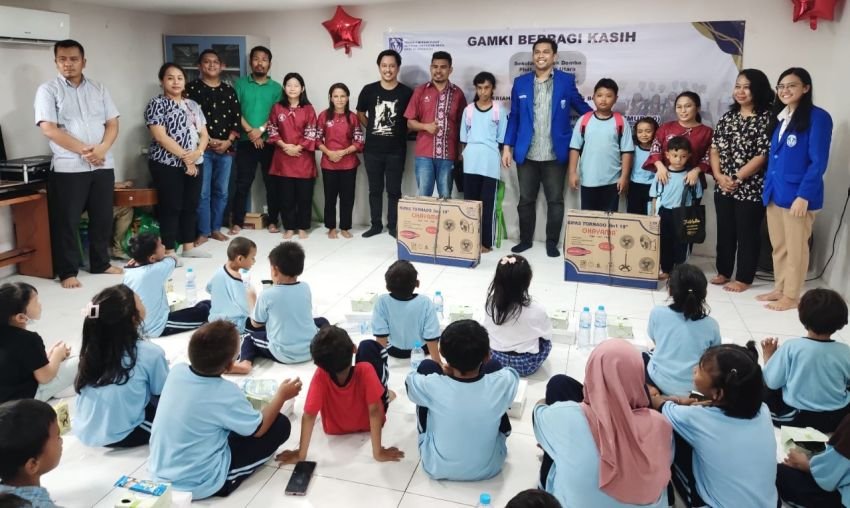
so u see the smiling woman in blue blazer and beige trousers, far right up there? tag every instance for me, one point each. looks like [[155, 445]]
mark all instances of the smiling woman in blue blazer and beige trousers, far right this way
[[793, 187]]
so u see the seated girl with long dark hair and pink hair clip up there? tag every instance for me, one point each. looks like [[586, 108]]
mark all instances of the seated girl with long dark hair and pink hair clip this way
[[120, 375]]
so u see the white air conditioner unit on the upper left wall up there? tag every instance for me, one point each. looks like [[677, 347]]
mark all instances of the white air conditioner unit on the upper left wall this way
[[30, 26]]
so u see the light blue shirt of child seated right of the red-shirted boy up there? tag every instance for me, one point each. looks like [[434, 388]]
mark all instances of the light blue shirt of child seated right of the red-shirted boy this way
[[462, 441]]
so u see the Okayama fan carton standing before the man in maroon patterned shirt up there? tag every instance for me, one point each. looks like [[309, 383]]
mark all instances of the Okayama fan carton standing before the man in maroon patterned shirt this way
[[439, 231]]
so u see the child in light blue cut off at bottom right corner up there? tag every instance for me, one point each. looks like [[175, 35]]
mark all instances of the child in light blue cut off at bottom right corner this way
[[822, 481]]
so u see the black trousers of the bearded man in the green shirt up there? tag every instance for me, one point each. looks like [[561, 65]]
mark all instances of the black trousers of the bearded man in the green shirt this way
[[247, 158]]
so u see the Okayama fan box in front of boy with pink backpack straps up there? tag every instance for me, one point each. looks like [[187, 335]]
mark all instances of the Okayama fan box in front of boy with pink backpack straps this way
[[618, 249]]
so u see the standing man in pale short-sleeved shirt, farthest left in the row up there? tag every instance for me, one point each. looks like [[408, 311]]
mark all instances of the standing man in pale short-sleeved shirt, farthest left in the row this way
[[79, 118]]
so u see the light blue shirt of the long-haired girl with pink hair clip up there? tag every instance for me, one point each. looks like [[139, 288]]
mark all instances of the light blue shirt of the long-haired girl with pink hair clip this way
[[107, 414]]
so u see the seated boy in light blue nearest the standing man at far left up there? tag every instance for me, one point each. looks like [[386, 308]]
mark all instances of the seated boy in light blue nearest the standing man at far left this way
[[146, 274]]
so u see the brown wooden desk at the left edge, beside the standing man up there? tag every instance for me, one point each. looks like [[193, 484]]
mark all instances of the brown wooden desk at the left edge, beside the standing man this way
[[32, 229]]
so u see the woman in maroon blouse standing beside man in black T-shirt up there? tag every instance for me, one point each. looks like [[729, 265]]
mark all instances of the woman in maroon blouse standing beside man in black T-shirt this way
[[340, 138]]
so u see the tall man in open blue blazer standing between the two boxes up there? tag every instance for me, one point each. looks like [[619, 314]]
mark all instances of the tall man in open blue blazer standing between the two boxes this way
[[538, 139]]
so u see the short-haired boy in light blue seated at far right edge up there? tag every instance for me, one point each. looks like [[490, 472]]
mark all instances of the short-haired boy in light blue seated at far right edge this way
[[807, 378]]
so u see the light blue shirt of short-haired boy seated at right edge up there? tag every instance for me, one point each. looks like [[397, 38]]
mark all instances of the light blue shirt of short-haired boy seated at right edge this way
[[812, 374]]
